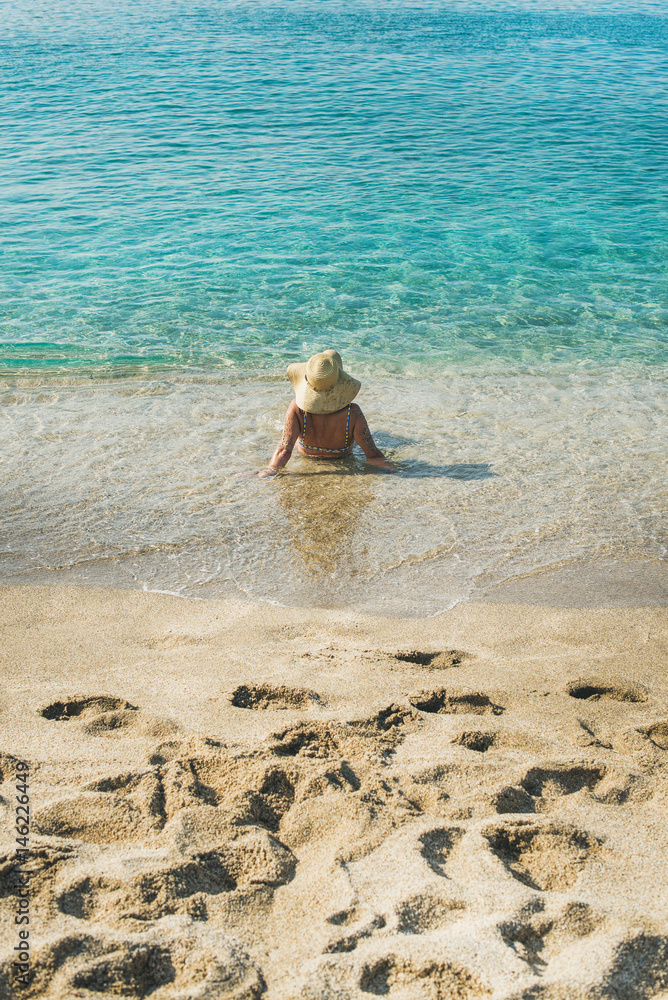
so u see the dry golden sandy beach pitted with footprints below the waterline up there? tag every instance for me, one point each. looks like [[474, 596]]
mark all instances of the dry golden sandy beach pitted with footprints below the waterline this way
[[243, 801]]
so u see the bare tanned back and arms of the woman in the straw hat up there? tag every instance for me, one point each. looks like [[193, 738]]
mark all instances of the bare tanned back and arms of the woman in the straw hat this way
[[327, 430]]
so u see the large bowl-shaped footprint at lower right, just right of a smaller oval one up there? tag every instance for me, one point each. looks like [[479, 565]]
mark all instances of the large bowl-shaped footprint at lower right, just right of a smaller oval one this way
[[543, 856]]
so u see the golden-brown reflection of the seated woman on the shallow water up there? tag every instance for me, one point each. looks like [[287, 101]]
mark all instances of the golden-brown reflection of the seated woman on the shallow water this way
[[325, 507]]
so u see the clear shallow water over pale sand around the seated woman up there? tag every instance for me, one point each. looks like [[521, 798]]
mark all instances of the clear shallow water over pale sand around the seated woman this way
[[502, 473]]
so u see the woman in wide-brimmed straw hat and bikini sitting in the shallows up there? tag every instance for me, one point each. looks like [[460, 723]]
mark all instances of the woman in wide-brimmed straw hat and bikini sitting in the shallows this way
[[322, 420]]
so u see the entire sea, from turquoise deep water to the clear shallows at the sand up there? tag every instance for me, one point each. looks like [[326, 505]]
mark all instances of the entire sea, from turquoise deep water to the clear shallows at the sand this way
[[468, 199]]
